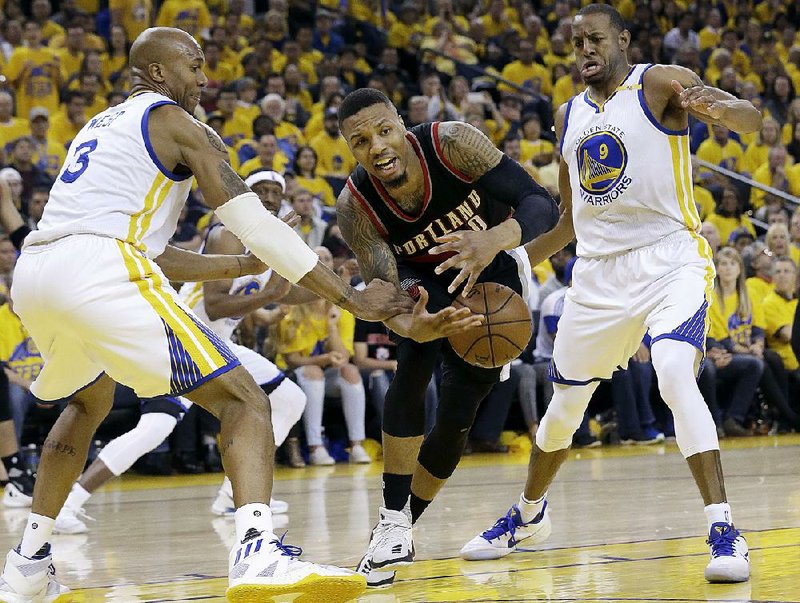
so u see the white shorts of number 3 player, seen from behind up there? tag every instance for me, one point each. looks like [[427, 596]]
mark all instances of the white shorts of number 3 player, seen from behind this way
[[96, 305]]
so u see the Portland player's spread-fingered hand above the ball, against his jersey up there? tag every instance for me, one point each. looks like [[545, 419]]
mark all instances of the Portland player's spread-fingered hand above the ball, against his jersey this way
[[473, 252]]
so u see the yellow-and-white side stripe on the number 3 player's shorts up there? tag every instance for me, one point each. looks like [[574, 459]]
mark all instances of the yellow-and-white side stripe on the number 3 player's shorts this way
[[207, 358]]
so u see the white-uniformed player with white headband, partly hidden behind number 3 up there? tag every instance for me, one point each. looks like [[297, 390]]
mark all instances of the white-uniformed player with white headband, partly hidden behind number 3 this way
[[227, 301]]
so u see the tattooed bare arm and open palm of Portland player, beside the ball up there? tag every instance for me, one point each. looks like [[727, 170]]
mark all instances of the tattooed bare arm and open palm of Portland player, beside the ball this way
[[377, 261]]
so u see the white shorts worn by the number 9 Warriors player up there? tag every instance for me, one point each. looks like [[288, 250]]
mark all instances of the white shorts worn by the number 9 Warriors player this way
[[613, 301]]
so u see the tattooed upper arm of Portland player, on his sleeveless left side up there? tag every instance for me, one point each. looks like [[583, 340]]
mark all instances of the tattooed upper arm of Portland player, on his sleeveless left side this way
[[375, 257]]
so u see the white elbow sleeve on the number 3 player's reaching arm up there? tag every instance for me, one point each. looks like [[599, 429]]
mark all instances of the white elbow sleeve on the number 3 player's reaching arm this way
[[271, 240]]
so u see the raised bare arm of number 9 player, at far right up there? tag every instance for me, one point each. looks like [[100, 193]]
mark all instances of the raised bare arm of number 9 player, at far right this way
[[683, 90]]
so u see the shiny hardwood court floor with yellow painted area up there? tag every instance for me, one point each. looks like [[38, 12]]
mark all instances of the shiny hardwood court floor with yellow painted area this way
[[627, 526]]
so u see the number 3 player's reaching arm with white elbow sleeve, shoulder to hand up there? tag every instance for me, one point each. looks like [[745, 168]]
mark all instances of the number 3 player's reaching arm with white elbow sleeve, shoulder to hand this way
[[180, 140]]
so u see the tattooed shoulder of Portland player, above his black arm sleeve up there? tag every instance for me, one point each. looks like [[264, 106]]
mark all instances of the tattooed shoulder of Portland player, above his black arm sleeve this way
[[468, 149]]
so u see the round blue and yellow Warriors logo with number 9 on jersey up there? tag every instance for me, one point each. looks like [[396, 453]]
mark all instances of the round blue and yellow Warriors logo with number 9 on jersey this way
[[602, 160]]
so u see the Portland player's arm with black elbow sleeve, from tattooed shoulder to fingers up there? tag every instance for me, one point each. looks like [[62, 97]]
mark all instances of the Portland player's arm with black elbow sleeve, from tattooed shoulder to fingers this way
[[473, 155]]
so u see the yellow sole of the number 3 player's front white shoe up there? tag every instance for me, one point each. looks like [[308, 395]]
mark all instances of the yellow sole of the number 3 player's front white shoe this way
[[311, 589]]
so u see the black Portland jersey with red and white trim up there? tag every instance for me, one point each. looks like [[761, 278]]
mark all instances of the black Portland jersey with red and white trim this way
[[451, 202]]
